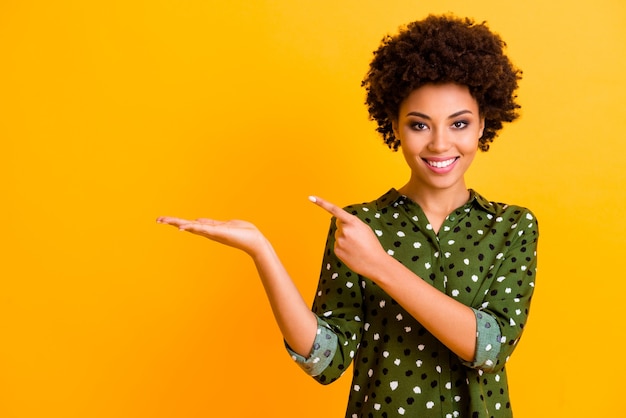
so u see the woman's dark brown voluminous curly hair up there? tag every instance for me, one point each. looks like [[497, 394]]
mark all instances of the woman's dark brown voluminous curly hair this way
[[442, 49]]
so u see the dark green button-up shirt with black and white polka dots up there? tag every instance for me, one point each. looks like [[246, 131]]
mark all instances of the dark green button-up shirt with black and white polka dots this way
[[484, 255]]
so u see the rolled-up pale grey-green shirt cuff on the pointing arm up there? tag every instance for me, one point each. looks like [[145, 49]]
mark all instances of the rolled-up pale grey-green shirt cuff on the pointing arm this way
[[488, 343]]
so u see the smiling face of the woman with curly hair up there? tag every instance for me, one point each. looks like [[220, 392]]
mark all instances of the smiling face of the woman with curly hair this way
[[438, 127]]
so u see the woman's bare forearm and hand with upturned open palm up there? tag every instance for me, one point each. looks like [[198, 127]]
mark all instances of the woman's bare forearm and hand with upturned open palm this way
[[294, 318]]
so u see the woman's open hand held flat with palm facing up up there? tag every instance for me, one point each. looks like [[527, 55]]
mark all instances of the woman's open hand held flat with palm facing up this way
[[237, 234]]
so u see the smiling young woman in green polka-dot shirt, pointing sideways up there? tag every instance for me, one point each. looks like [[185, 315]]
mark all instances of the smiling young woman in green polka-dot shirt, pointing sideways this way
[[426, 289]]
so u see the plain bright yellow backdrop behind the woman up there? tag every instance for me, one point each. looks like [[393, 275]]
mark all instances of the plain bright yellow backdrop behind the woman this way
[[114, 112]]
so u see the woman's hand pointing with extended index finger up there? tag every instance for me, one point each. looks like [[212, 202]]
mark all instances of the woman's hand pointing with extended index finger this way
[[355, 242]]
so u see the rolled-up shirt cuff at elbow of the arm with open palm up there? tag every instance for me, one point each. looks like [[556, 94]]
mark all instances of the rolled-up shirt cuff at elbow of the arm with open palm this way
[[322, 352]]
